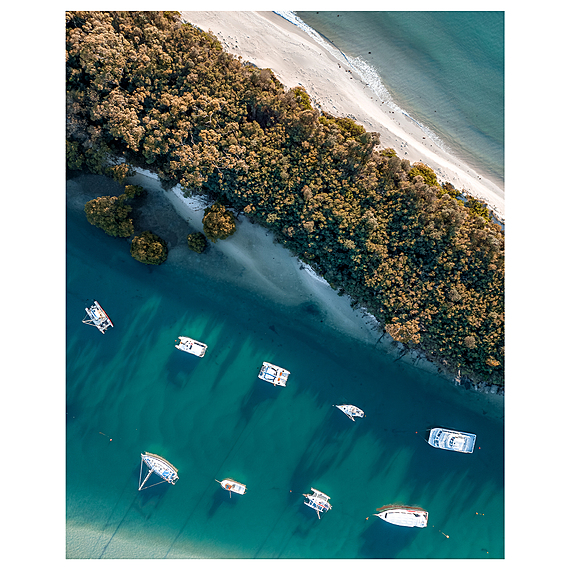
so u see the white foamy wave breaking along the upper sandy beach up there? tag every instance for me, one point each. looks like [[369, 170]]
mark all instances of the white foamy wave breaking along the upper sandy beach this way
[[368, 73]]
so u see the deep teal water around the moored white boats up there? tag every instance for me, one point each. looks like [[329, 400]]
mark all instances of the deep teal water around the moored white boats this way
[[130, 391]]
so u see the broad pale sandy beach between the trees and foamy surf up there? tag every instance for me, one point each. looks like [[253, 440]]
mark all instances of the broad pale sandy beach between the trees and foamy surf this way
[[269, 41]]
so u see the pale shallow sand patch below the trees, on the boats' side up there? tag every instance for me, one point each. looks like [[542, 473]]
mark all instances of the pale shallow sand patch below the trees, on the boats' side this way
[[251, 260]]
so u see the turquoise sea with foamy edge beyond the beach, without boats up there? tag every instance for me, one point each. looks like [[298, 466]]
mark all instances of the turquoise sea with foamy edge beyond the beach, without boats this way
[[445, 69]]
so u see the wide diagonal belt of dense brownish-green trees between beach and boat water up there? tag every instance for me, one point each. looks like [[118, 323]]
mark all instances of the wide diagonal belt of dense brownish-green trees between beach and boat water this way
[[161, 94]]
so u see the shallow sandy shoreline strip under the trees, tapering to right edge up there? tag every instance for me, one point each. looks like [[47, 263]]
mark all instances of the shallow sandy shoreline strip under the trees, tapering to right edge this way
[[261, 265]]
